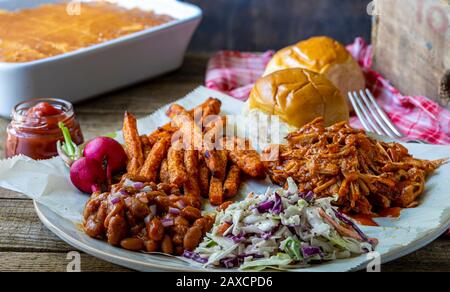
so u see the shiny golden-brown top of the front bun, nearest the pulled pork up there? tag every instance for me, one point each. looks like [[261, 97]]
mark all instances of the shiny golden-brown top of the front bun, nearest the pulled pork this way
[[298, 96]]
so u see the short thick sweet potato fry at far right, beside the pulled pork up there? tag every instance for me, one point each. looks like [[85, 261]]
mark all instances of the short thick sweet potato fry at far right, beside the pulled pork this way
[[246, 158]]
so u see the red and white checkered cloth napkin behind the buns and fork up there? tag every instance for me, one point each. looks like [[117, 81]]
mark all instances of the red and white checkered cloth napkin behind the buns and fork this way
[[415, 116]]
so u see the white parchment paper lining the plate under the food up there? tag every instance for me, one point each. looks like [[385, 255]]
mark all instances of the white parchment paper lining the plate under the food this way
[[48, 183]]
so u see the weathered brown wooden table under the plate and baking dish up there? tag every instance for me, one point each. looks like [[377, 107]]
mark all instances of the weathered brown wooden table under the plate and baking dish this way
[[26, 245]]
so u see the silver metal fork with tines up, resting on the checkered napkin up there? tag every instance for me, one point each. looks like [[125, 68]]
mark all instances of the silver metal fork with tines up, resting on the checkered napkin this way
[[372, 116]]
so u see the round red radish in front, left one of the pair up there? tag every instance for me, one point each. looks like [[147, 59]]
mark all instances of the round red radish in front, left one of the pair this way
[[87, 175]]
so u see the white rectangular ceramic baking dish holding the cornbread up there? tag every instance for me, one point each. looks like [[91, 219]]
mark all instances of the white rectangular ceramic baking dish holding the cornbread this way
[[104, 67]]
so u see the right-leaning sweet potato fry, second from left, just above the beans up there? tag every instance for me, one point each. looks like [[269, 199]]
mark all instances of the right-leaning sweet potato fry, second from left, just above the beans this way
[[157, 153]]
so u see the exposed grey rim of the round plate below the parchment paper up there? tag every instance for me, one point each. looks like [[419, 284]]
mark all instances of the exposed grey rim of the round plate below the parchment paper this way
[[57, 228]]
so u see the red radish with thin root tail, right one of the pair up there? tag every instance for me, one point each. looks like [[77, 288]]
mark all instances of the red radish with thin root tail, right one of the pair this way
[[108, 152]]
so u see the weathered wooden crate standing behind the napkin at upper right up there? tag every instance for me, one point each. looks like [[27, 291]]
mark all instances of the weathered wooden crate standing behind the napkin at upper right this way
[[411, 41]]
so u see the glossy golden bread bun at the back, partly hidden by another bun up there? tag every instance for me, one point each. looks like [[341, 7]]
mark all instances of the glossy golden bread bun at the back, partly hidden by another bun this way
[[321, 55]]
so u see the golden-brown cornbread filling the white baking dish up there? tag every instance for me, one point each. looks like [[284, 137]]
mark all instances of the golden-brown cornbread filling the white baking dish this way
[[49, 30]]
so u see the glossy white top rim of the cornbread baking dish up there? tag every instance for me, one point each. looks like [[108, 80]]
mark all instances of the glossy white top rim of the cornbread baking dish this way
[[196, 13]]
